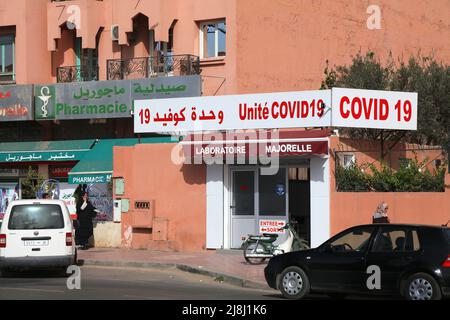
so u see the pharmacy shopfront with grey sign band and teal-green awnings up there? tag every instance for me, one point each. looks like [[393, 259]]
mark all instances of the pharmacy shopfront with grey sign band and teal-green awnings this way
[[59, 166]]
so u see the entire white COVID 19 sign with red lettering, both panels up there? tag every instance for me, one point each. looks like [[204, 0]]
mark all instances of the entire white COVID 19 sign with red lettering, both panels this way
[[350, 108]]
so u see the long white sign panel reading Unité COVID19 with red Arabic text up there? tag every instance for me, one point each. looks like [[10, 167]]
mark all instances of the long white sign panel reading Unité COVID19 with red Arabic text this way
[[232, 112]]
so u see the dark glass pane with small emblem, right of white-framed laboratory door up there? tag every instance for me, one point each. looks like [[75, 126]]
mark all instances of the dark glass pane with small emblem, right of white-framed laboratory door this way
[[272, 194]]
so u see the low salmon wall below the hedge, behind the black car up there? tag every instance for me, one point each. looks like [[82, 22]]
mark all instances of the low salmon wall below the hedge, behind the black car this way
[[352, 208]]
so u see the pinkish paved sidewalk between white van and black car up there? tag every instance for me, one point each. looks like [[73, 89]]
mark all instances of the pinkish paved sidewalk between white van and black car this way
[[229, 267]]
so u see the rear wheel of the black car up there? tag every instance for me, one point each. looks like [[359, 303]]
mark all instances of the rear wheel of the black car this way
[[421, 286]]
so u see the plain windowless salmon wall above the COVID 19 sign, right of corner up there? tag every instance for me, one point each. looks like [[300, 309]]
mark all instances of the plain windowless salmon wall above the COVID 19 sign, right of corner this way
[[283, 45]]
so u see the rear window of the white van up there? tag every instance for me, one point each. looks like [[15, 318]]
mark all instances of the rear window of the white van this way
[[36, 216]]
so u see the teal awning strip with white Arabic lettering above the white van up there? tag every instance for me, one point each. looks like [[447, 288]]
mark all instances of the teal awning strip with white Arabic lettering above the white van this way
[[50, 156]]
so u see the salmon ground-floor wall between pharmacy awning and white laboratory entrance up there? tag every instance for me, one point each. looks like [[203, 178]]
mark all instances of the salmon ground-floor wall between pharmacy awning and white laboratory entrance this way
[[177, 192]]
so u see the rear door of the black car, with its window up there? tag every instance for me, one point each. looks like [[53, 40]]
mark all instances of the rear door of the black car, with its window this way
[[394, 250]]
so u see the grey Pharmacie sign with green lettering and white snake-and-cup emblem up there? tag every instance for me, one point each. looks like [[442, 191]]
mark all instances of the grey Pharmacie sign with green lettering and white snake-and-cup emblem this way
[[107, 99]]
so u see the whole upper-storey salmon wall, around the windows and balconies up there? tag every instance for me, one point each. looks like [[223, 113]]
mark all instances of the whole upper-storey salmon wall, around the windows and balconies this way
[[271, 45]]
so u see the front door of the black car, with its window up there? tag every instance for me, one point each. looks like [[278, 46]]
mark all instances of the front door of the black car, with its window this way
[[339, 264]]
